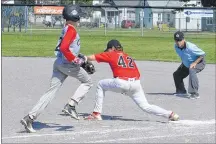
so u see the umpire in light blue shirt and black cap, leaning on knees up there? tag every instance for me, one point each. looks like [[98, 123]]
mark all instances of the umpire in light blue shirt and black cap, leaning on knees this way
[[193, 61]]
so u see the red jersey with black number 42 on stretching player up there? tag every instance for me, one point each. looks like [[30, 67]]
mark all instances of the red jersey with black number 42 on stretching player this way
[[121, 64]]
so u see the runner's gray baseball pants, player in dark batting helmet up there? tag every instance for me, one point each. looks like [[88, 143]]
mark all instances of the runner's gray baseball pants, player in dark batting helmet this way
[[60, 72]]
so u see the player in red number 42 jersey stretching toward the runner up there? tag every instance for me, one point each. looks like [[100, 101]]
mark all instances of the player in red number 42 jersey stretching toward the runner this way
[[126, 80]]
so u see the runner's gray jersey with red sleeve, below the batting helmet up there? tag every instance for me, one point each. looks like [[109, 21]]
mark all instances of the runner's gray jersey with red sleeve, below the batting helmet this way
[[68, 46]]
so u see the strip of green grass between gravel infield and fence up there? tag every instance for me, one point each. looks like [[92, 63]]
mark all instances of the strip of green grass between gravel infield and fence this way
[[153, 46]]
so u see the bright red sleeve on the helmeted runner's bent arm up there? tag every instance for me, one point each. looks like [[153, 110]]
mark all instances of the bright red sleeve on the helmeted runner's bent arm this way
[[69, 37]]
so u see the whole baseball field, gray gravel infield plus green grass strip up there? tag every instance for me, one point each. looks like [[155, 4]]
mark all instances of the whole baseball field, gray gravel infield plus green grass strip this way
[[27, 60]]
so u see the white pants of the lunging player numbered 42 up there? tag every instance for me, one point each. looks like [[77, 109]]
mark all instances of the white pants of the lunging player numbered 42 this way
[[131, 88]]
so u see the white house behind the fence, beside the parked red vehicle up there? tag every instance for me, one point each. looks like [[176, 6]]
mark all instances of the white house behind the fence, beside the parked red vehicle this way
[[114, 17]]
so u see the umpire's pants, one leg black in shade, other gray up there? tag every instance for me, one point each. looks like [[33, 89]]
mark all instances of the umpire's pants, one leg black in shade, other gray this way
[[182, 72]]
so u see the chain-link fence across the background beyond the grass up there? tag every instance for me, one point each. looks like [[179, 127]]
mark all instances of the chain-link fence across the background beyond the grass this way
[[136, 21]]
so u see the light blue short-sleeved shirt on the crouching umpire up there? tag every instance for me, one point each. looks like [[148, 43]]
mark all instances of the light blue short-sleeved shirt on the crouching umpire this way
[[189, 54]]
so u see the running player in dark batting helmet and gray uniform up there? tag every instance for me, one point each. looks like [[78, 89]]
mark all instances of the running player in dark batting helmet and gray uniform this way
[[66, 64]]
